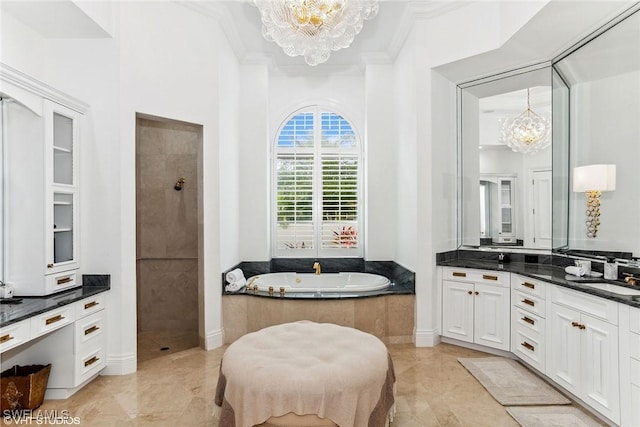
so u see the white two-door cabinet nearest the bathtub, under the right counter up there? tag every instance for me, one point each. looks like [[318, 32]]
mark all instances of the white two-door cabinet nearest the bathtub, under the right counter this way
[[476, 306]]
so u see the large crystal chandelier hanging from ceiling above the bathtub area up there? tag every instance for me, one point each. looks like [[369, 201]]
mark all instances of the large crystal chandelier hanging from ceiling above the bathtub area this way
[[314, 28]]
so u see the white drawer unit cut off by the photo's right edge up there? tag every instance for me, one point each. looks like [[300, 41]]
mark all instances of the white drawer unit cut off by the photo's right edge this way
[[629, 365]]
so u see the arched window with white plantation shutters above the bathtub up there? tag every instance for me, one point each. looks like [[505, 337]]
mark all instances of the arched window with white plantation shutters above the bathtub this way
[[317, 187]]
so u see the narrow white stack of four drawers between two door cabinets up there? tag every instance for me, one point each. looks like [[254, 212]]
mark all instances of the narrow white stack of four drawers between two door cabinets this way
[[528, 319]]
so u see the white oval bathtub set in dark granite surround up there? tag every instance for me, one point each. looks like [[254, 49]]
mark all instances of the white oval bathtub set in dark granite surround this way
[[325, 282]]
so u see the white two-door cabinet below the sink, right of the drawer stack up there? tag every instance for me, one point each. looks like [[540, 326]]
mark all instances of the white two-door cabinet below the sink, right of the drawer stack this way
[[582, 356]]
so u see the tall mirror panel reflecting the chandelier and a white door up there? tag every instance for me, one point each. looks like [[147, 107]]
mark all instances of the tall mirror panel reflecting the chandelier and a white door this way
[[505, 163]]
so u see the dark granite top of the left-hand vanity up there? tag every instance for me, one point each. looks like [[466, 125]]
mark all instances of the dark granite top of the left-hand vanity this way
[[32, 306]]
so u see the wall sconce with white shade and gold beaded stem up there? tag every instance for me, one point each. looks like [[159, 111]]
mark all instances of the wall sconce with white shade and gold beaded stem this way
[[593, 180]]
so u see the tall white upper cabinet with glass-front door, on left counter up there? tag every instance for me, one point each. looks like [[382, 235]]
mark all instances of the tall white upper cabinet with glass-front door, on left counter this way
[[42, 239]]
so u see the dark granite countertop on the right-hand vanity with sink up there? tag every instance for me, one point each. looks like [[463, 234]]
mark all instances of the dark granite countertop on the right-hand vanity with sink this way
[[551, 274]]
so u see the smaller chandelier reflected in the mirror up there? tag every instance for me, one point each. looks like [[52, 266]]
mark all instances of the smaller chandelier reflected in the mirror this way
[[527, 133]]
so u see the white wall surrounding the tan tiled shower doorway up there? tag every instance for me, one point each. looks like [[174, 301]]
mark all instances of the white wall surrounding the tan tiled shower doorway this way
[[151, 66]]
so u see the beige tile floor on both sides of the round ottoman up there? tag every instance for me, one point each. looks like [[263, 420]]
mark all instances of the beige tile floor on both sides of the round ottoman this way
[[177, 389]]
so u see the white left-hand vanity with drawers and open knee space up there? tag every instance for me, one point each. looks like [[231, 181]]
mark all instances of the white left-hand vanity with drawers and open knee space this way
[[67, 330]]
